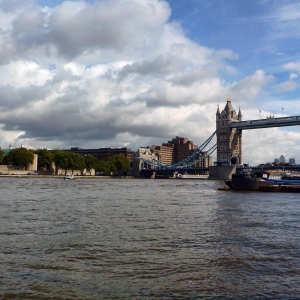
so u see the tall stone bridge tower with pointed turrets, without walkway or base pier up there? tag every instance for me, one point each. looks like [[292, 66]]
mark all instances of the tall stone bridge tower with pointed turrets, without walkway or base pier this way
[[229, 140]]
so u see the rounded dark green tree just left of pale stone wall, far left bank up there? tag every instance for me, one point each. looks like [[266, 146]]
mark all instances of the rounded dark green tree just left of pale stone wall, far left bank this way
[[21, 157]]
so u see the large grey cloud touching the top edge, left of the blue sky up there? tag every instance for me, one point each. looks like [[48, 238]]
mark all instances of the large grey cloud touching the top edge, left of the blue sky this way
[[78, 28]]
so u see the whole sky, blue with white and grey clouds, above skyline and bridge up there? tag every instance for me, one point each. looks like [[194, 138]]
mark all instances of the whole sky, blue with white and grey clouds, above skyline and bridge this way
[[133, 73]]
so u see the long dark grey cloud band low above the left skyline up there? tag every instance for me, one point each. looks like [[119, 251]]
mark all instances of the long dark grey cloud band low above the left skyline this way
[[69, 124]]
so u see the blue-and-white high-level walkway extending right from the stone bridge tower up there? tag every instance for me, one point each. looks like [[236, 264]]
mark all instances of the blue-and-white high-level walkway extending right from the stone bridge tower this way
[[265, 123]]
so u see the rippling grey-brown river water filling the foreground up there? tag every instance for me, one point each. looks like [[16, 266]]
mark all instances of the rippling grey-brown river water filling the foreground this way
[[146, 239]]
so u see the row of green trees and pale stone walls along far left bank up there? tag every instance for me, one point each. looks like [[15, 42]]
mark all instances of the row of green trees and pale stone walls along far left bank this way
[[21, 160]]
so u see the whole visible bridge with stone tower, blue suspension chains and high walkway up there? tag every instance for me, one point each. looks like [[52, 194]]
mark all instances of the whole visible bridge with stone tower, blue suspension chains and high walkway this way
[[229, 128]]
